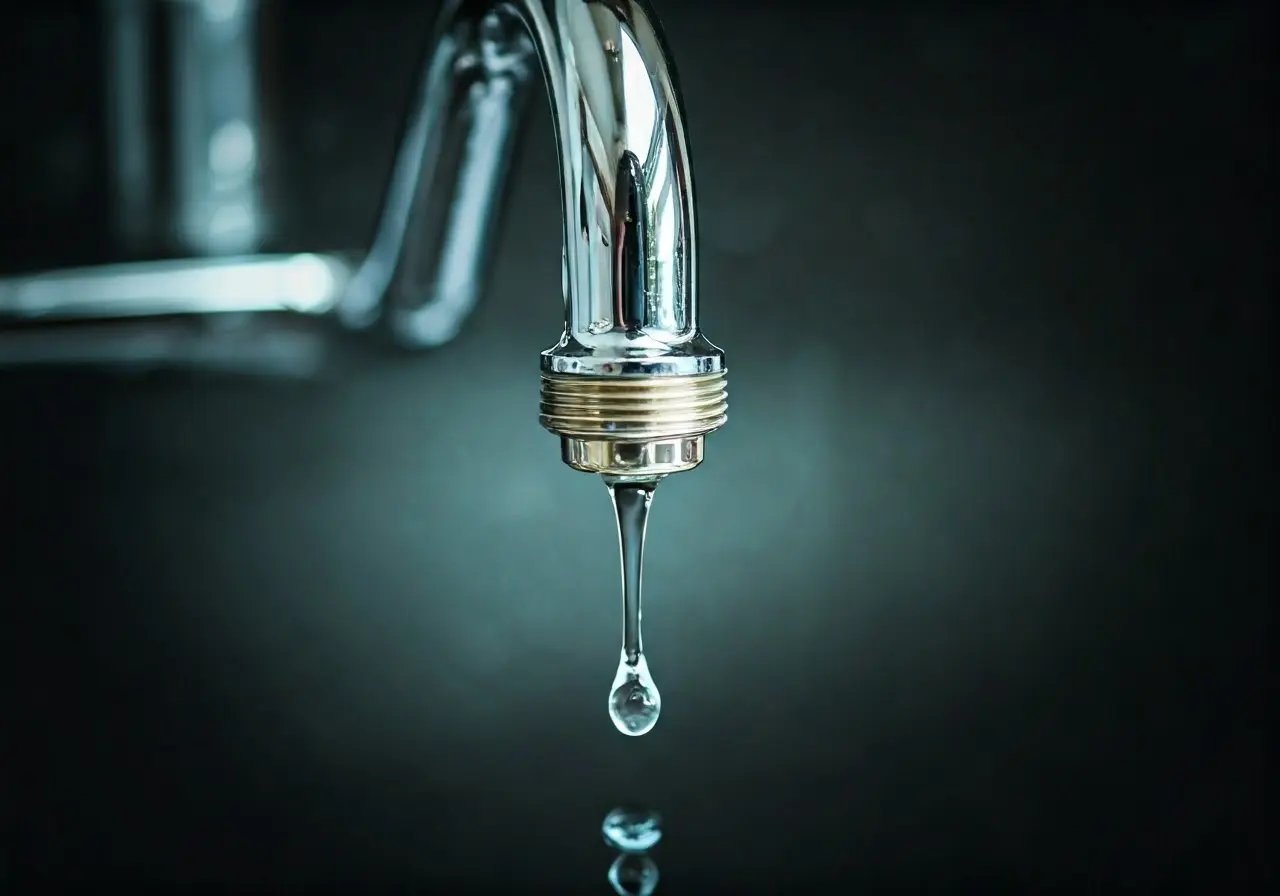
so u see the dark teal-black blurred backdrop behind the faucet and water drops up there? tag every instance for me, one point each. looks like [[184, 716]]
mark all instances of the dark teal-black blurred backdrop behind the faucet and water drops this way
[[971, 591]]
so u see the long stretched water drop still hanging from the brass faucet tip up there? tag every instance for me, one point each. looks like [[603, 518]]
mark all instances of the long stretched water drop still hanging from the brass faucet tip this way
[[634, 700]]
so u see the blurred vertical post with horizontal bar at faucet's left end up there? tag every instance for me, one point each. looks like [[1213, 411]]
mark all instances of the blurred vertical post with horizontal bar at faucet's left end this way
[[189, 216]]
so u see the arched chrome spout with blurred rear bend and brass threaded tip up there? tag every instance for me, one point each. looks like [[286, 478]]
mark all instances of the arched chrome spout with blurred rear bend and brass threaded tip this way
[[632, 387]]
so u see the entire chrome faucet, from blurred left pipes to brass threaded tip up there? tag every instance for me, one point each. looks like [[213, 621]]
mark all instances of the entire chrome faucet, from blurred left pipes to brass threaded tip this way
[[632, 387]]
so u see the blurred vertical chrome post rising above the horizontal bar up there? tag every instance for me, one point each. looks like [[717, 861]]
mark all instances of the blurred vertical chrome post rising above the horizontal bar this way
[[214, 199]]
